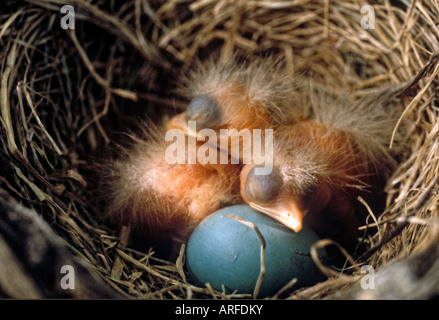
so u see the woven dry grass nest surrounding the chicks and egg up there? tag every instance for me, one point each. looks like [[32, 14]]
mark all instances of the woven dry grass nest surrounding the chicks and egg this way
[[67, 93]]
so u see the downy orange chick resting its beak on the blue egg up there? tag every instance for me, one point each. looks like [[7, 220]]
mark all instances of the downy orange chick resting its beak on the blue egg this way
[[322, 165]]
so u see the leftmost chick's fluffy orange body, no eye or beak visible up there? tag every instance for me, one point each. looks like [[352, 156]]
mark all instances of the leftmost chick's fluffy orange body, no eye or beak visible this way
[[161, 199]]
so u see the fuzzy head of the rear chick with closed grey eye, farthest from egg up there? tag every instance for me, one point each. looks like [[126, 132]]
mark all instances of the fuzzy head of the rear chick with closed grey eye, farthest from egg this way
[[236, 95]]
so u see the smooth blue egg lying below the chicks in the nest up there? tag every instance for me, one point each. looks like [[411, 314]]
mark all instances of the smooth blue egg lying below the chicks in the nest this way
[[223, 251]]
